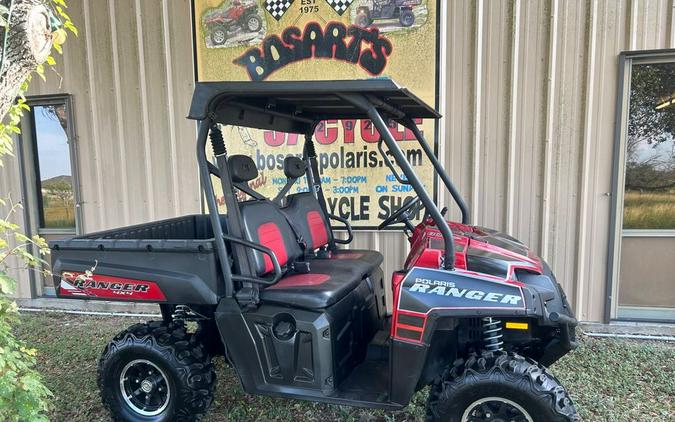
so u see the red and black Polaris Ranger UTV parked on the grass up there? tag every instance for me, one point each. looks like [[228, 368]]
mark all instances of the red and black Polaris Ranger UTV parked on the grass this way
[[476, 315]]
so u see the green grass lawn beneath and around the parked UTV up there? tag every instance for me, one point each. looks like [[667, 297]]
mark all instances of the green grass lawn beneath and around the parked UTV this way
[[609, 380]]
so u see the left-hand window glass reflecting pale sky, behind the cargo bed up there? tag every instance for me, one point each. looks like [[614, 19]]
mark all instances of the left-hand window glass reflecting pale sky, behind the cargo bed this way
[[53, 167]]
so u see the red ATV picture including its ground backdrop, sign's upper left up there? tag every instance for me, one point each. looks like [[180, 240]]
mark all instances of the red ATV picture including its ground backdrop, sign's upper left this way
[[234, 22]]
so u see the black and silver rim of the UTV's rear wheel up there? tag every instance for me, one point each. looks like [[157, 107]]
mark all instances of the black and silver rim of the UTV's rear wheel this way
[[144, 387]]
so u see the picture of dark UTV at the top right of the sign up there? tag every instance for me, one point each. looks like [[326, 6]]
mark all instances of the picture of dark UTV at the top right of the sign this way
[[389, 15]]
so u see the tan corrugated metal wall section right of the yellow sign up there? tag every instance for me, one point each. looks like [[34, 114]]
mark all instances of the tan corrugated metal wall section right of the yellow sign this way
[[530, 111]]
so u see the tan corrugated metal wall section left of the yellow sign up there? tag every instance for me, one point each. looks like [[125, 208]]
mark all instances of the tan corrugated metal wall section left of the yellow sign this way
[[131, 76]]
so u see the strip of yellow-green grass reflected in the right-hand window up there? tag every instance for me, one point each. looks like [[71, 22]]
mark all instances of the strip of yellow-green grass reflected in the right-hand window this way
[[649, 210]]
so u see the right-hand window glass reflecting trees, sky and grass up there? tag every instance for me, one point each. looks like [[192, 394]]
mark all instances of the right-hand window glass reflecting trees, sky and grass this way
[[649, 200]]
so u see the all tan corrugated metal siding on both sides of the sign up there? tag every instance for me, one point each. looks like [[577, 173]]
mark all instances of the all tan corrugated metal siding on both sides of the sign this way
[[529, 92]]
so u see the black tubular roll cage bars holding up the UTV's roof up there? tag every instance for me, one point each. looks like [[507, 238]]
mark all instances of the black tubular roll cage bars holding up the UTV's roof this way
[[368, 105]]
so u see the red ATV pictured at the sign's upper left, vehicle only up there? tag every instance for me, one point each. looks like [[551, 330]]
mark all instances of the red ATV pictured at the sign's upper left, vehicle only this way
[[222, 22]]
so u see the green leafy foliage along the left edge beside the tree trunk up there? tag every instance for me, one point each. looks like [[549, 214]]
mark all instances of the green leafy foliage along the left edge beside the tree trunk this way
[[23, 396]]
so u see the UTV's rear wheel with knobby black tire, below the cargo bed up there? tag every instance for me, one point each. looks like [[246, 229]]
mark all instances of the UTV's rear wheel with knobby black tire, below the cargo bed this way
[[156, 372]]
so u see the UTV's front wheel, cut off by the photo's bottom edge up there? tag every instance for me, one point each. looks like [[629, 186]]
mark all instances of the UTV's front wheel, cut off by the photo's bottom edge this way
[[499, 386]]
